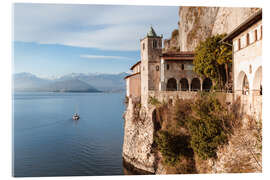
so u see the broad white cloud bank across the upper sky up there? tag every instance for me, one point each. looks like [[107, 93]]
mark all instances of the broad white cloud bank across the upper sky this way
[[94, 26]]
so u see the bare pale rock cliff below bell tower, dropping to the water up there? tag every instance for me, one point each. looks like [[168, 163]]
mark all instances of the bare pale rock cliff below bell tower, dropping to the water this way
[[138, 139]]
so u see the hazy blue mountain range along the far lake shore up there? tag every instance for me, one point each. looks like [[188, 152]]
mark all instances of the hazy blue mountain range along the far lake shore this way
[[74, 82]]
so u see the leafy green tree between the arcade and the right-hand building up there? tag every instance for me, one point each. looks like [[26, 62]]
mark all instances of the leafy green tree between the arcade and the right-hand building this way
[[212, 59]]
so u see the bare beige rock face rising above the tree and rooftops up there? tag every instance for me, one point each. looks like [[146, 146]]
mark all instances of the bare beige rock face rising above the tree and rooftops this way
[[198, 23]]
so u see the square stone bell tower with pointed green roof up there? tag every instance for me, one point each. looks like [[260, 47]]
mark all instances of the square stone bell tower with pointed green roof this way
[[151, 50]]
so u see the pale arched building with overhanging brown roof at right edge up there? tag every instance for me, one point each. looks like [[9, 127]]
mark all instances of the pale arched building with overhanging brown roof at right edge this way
[[247, 63]]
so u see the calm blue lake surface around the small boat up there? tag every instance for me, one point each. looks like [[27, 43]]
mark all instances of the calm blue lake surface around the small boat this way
[[47, 142]]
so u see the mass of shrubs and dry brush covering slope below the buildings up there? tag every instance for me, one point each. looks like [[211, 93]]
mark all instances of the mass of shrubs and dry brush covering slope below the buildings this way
[[191, 133]]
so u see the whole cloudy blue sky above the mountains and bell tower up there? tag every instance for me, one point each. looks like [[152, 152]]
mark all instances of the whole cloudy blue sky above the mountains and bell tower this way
[[50, 40]]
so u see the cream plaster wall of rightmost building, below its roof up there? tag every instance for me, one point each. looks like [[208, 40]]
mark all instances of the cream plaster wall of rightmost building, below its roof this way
[[248, 60]]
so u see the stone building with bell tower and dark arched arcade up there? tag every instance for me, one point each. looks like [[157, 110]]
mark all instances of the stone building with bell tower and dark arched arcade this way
[[159, 71]]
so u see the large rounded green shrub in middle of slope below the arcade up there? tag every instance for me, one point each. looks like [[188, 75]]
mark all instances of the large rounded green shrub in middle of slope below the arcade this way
[[207, 126]]
